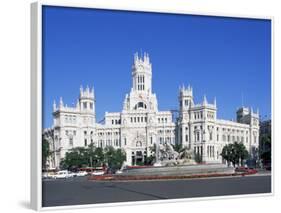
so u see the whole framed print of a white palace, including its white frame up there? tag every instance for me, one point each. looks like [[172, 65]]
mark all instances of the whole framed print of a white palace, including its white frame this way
[[133, 105]]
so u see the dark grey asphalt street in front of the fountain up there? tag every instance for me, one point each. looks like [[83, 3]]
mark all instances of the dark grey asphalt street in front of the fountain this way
[[77, 191]]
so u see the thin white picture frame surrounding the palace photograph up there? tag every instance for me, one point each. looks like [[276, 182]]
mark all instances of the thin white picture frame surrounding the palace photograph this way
[[36, 99]]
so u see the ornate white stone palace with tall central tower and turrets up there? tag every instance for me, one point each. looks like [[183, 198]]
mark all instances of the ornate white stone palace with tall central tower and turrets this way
[[140, 124]]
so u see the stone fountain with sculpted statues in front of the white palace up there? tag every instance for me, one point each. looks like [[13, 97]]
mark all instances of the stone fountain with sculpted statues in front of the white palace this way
[[170, 163]]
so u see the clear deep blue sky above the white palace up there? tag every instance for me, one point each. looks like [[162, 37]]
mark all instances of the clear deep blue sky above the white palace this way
[[220, 57]]
